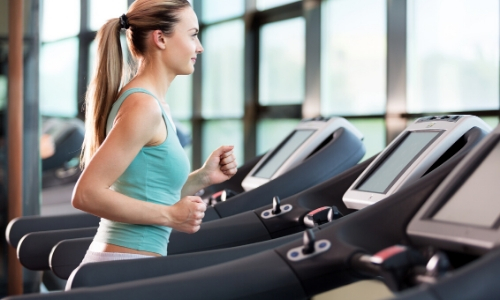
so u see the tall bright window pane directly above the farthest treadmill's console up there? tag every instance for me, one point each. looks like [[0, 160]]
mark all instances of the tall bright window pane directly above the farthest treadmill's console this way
[[354, 51]]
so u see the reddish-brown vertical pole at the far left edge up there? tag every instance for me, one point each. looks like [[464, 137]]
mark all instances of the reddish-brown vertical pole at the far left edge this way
[[15, 135]]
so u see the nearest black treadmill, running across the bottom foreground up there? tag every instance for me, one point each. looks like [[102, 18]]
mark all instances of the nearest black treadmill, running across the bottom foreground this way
[[376, 241]]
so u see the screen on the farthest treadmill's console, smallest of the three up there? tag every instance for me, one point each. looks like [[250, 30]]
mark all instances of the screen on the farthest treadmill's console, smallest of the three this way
[[277, 159]]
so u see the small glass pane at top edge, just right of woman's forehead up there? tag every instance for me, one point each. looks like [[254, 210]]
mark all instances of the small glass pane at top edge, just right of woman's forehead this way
[[216, 10]]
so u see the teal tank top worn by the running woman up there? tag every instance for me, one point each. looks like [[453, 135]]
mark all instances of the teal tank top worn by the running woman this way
[[157, 175]]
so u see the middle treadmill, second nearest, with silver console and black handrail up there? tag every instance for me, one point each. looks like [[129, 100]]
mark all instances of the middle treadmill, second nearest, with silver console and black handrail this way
[[310, 208]]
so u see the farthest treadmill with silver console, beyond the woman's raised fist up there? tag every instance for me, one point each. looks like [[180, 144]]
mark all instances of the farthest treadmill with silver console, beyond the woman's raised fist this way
[[332, 143]]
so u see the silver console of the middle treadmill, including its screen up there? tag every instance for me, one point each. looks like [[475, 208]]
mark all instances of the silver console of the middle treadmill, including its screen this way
[[409, 157]]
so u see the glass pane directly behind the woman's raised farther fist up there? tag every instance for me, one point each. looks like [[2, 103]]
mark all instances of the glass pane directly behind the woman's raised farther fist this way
[[225, 132]]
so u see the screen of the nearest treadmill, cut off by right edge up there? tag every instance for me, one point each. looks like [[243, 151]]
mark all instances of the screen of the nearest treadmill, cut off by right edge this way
[[477, 201]]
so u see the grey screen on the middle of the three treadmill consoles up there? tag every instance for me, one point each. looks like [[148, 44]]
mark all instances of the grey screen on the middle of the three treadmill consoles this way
[[386, 173]]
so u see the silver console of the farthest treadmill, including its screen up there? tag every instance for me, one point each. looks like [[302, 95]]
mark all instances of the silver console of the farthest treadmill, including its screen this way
[[302, 142]]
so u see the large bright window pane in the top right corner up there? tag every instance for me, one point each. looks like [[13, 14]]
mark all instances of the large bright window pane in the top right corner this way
[[453, 55]]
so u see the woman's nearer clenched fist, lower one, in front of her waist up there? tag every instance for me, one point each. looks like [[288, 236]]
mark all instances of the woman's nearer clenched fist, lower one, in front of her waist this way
[[187, 214]]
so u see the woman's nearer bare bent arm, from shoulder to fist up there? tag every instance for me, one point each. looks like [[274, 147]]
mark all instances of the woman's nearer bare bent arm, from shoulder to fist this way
[[138, 123]]
